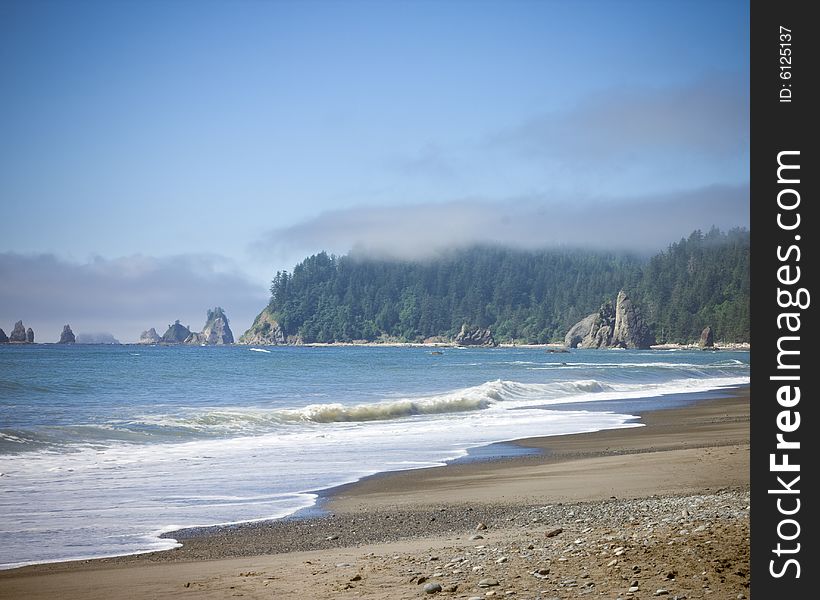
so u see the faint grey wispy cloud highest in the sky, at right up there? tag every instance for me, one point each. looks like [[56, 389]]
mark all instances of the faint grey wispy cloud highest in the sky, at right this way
[[707, 119]]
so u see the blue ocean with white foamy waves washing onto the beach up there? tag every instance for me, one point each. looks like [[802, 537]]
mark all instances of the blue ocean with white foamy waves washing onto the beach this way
[[105, 448]]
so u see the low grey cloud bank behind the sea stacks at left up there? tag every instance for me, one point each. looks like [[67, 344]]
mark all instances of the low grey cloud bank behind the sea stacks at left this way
[[122, 296]]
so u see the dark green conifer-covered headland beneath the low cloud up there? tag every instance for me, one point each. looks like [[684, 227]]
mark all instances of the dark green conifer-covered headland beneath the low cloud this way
[[521, 296]]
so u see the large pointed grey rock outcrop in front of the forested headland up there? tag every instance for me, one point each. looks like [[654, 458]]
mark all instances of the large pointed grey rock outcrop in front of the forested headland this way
[[618, 327]]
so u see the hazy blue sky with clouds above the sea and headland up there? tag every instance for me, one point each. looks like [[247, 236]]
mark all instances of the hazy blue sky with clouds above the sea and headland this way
[[230, 139]]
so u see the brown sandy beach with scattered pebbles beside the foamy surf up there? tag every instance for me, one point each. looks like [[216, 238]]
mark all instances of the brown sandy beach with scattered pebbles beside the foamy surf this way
[[654, 511]]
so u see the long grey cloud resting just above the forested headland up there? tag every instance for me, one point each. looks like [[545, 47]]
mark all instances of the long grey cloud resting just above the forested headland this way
[[643, 224]]
